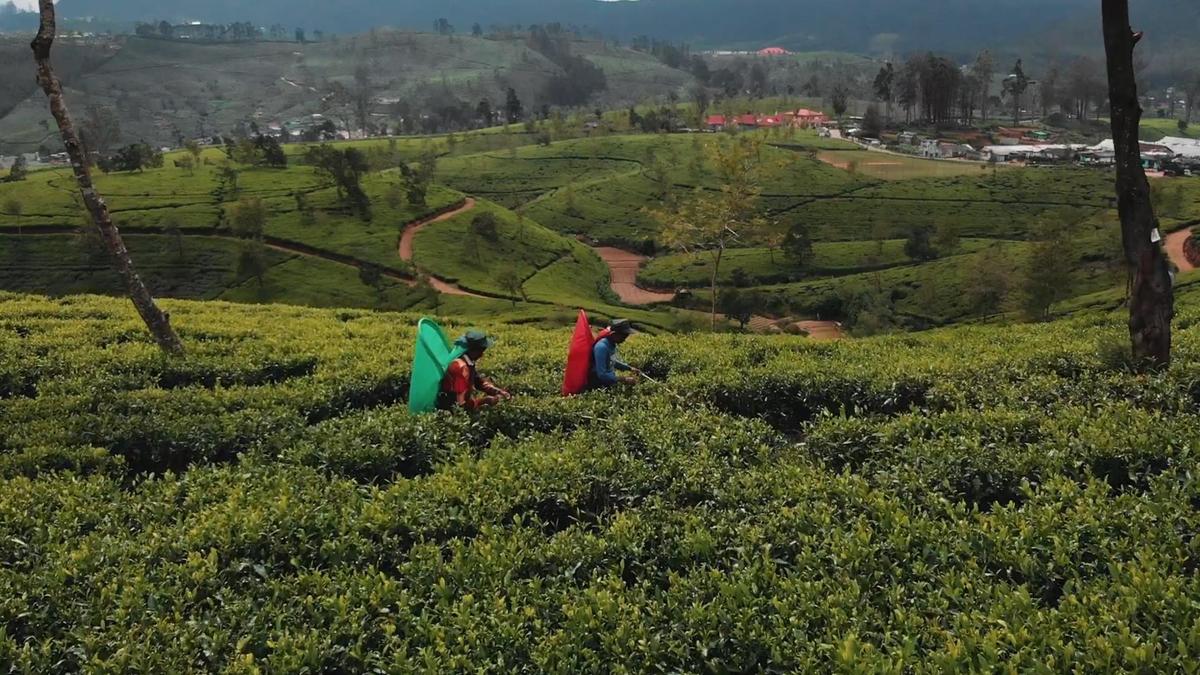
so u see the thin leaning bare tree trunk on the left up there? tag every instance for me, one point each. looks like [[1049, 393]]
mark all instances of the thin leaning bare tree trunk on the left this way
[[155, 319]]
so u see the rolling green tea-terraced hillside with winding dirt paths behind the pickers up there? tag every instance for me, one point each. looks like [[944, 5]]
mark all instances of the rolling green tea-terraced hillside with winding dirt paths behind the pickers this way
[[548, 204]]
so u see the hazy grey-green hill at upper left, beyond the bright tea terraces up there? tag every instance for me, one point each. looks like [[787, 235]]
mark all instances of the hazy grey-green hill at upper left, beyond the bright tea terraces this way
[[165, 92]]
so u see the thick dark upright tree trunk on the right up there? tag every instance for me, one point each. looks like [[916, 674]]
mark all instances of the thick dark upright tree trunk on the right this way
[[1153, 302]]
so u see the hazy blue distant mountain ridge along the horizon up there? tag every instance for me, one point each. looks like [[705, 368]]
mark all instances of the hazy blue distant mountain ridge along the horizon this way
[[872, 27]]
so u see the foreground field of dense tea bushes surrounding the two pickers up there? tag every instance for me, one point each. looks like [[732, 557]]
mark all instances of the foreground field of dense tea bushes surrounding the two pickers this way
[[969, 499]]
